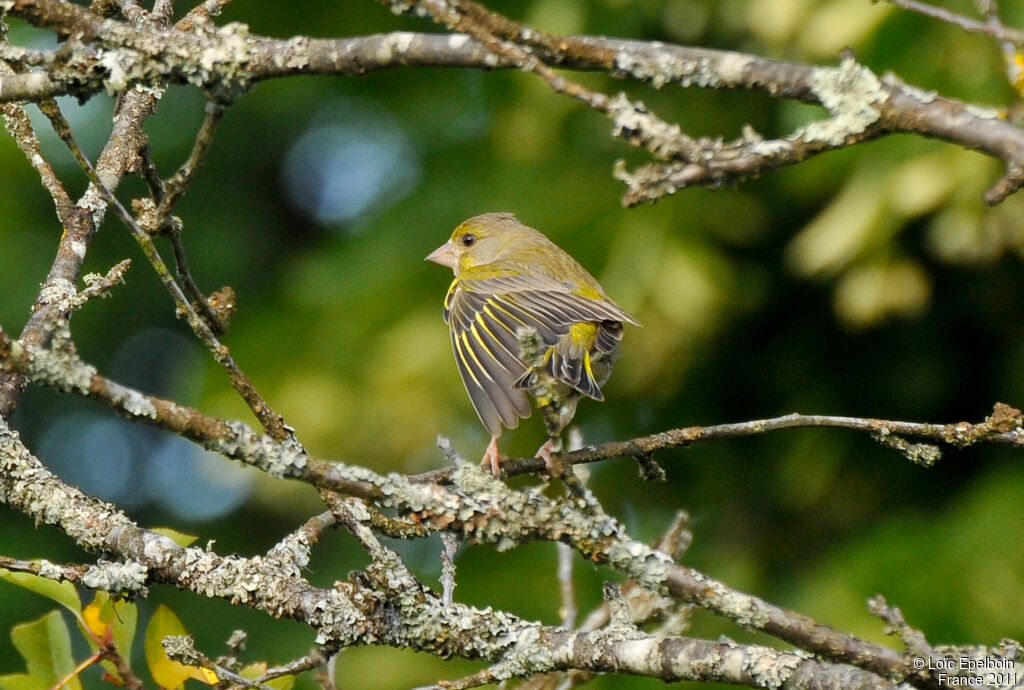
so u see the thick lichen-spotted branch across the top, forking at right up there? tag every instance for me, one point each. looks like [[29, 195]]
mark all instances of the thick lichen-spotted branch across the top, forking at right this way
[[112, 56]]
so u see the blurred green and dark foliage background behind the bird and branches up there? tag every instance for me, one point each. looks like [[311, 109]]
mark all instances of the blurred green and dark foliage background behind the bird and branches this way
[[870, 282]]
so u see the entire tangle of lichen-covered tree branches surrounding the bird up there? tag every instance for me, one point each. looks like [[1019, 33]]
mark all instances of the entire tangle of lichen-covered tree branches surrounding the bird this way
[[386, 603]]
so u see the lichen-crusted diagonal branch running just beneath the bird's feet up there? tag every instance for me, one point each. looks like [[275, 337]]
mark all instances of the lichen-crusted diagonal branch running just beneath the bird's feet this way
[[483, 509]]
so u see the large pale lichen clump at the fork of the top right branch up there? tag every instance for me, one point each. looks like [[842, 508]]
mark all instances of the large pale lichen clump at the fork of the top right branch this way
[[852, 94]]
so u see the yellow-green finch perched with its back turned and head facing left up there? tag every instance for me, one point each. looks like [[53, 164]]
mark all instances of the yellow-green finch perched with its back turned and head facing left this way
[[526, 318]]
